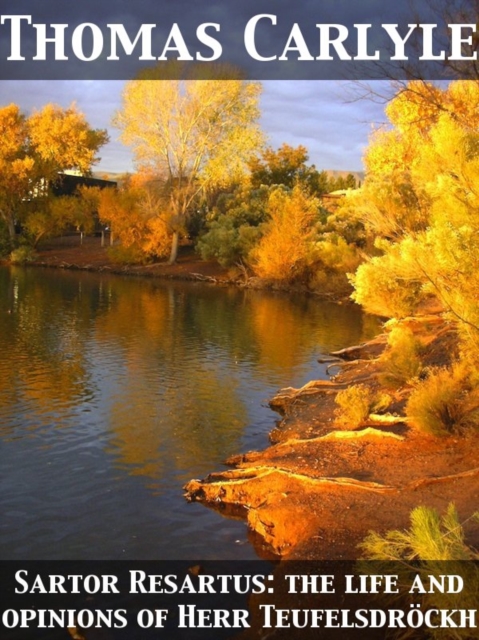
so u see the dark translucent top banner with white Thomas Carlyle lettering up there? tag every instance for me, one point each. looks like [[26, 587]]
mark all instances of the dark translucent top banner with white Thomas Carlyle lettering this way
[[264, 39]]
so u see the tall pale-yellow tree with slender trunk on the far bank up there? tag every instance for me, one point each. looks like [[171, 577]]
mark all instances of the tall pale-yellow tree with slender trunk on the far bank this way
[[194, 134]]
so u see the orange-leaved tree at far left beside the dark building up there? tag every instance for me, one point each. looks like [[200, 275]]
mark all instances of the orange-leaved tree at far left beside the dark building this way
[[35, 150]]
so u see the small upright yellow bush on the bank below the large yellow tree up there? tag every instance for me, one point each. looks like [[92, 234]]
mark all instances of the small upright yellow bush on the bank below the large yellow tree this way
[[401, 360]]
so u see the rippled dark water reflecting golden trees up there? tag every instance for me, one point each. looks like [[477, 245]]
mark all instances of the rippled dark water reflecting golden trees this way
[[115, 391]]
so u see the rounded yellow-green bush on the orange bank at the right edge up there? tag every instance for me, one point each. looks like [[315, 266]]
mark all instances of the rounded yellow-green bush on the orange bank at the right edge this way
[[445, 402]]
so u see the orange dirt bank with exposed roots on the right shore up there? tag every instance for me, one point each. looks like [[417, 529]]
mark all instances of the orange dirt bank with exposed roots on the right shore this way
[[317, 491]]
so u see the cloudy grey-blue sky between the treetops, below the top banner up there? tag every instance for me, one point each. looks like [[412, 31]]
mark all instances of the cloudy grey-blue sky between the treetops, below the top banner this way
[[320, 115]]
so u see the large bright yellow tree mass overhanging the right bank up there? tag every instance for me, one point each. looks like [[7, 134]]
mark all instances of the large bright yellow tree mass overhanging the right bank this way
[[436, 252]]
